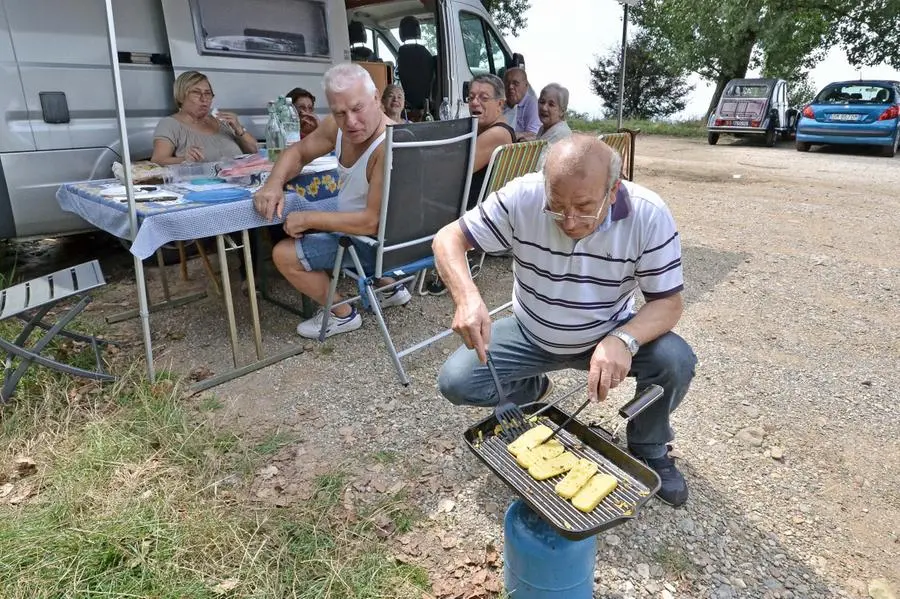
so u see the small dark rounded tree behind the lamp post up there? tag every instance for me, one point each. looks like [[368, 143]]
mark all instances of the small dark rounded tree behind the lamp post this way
[[653, 87]]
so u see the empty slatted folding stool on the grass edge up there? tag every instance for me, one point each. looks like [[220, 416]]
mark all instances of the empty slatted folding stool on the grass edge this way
[[30, 302]]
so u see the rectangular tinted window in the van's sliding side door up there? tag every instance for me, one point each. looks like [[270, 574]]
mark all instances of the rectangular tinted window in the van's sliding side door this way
[[288, 29]]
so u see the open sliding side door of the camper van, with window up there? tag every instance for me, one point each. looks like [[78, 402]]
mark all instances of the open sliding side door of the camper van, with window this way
[[255, 50]]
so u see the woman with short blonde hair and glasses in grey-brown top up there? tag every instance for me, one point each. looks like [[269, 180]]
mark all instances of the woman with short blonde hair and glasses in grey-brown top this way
[[193, 134]]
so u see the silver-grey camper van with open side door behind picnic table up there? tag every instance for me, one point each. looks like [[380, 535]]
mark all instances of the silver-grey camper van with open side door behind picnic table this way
[[56, 88]]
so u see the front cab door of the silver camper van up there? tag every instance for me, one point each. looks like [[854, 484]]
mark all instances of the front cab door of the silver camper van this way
[[477, 48]]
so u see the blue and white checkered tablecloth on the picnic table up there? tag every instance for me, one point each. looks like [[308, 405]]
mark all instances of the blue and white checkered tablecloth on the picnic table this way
[[180, 220]]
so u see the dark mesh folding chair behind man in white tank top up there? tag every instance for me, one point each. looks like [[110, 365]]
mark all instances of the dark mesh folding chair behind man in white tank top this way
[[427, 172]]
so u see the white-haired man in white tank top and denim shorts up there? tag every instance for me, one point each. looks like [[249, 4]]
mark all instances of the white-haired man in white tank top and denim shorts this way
[[354, 131]]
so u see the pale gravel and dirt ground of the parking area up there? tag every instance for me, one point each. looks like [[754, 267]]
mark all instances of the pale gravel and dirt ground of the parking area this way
[[789, 436]]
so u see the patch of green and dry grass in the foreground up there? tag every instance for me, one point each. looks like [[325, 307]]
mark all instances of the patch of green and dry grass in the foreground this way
[[121, 506]]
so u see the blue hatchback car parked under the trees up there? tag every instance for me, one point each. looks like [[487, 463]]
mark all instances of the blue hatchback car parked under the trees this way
[[853, 112]]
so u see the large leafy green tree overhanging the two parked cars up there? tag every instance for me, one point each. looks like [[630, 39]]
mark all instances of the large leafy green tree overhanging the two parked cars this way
[[723, 39]]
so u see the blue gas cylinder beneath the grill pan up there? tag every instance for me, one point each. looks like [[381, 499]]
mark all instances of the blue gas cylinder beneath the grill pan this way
[[539, 563]]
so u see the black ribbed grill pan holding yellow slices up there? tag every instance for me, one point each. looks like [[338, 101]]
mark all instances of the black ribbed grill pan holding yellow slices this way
[[637, 482]]
